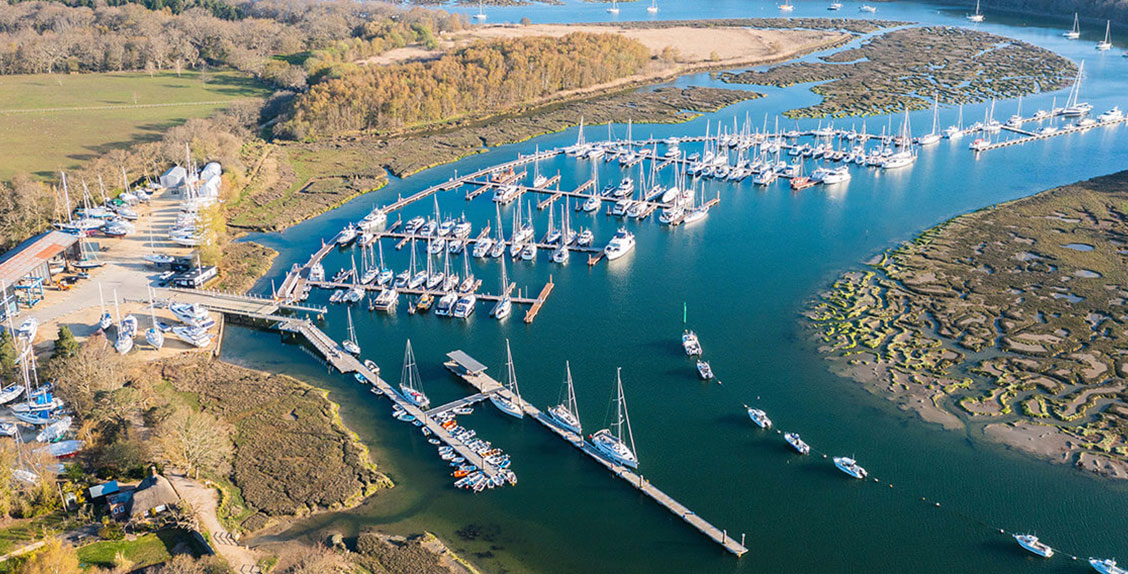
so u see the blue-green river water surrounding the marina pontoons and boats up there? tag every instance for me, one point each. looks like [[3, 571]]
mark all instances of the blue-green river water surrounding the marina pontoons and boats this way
[[746, 275]]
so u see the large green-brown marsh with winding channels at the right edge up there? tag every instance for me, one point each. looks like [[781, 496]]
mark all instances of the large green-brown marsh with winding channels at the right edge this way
[[1011, 319]]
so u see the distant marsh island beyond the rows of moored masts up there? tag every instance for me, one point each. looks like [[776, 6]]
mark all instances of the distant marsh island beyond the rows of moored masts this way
[[911, 68]]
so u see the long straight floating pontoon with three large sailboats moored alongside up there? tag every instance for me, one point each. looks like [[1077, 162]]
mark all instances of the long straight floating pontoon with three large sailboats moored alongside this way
[[487, 385]]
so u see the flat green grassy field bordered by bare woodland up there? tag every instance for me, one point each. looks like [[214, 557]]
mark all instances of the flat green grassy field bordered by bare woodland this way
[[51, 122]]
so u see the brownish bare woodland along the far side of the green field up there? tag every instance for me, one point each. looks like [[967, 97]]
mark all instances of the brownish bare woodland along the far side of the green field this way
[[47, 37]]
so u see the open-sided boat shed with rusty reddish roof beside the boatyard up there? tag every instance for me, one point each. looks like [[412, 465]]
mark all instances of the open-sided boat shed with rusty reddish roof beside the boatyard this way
[[29, 267]]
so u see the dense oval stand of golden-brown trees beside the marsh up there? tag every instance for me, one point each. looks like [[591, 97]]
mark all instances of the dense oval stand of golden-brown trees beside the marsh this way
[[483, 78]]
